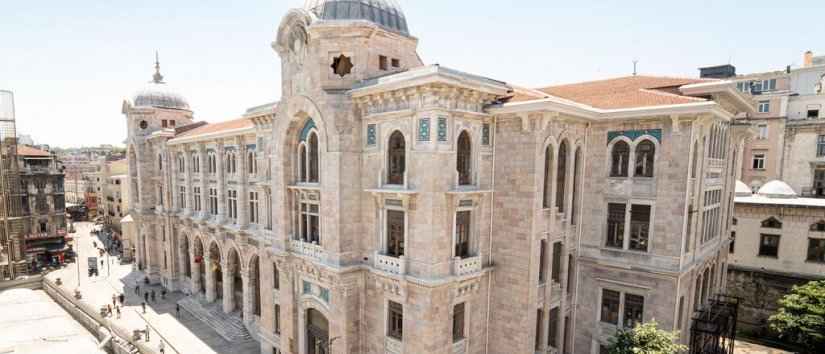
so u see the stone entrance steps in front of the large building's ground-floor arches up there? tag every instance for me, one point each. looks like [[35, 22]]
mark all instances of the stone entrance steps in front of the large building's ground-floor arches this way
[[228, 325]]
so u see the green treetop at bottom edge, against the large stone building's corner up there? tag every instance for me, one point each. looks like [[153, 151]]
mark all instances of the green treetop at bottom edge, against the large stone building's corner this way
[[645, 338]]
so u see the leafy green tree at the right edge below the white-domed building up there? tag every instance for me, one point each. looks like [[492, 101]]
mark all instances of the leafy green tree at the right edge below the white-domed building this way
[[801, 316]]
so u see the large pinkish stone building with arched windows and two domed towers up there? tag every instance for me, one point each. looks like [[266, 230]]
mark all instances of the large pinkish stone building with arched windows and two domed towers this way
[[384, 205]]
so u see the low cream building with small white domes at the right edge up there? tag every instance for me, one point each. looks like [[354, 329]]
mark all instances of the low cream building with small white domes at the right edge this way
[[778, 242]]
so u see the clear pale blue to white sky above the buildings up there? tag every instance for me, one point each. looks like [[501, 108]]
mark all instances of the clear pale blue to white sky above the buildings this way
[[71, 63]]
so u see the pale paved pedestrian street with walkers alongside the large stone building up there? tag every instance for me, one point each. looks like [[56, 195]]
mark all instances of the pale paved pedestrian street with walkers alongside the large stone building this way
[[182, 335]]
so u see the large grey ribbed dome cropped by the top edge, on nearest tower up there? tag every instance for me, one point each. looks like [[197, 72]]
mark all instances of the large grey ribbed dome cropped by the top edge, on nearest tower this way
[[385, 13]]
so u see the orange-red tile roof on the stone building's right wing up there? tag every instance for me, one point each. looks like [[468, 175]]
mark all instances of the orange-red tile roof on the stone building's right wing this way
[[617, 93]]
